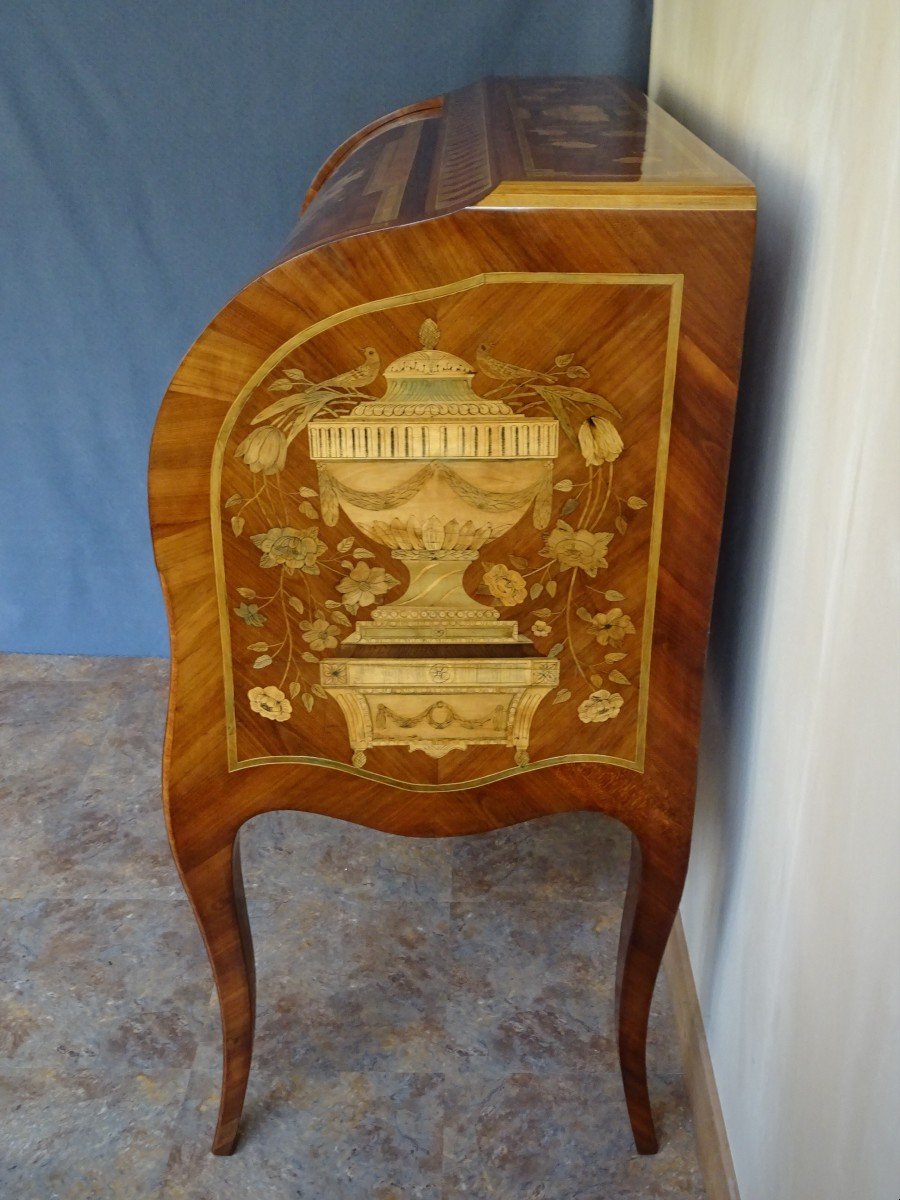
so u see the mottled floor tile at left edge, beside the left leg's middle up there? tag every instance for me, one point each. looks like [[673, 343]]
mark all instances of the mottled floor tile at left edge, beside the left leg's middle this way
[[95, 982]]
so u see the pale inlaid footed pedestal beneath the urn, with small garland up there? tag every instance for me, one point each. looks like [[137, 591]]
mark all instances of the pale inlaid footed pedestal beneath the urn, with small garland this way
[[440, 705]]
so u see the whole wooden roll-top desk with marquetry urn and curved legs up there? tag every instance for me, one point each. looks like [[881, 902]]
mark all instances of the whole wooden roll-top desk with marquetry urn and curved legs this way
[[436, 503]]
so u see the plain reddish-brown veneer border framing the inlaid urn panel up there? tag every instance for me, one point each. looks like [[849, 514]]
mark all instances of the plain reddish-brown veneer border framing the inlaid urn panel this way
[[712, 251]]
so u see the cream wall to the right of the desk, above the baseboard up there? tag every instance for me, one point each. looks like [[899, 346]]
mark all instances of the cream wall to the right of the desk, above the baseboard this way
[[793, 909]]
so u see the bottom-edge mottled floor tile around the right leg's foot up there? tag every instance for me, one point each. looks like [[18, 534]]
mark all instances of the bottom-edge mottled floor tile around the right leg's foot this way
[[526, 1137]]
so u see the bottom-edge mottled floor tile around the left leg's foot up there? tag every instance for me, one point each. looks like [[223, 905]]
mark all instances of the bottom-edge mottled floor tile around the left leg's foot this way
[[347, 1137]]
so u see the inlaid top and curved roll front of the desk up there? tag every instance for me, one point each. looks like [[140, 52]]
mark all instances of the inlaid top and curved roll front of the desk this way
[[518, 143]]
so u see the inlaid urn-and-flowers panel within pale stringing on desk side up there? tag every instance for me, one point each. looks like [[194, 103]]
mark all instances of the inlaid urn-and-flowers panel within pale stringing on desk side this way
[[439, 521]]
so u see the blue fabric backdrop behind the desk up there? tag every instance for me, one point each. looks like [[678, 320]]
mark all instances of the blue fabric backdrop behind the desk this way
[[153, 155]]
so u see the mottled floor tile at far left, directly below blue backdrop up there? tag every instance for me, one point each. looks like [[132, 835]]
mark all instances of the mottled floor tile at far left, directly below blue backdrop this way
[[85, 815]]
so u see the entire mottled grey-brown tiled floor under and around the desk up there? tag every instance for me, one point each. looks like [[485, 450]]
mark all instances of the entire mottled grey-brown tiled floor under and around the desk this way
[[436, 1017]]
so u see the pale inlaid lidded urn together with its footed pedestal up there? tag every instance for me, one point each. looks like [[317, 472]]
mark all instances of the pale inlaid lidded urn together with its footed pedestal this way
[[435, 472]]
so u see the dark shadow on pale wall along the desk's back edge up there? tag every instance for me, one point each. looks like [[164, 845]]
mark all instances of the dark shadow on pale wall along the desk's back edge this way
[[785, 235]]
